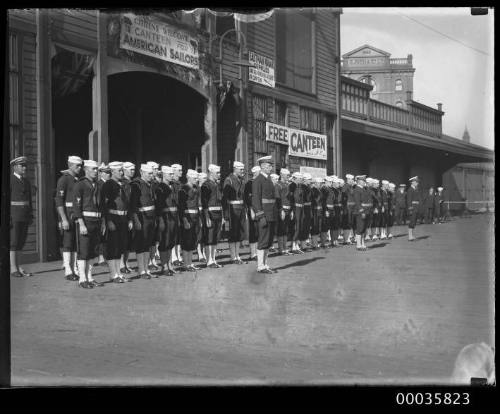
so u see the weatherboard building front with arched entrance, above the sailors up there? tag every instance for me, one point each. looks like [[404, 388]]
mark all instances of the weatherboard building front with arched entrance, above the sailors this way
[[189, 87]]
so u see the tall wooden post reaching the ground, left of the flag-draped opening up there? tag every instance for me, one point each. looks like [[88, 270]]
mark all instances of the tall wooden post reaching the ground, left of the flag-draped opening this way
[[46, 240]]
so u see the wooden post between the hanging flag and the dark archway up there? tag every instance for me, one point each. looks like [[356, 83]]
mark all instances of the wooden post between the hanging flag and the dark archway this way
[[98, 138]]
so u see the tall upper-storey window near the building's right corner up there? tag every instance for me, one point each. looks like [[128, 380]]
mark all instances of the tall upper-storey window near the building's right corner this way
[[294, 49]]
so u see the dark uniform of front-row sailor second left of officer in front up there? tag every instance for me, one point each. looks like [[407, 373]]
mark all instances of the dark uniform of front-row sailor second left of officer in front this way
[[211, 203]]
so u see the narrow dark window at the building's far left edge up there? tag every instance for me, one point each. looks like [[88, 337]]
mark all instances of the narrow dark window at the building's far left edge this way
[[16, 144]]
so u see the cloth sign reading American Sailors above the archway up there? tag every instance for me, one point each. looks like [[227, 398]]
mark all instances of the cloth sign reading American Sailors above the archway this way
[[150, 37]]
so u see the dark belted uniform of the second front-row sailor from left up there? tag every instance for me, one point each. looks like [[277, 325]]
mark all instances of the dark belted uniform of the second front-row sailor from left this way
[[116, 211]]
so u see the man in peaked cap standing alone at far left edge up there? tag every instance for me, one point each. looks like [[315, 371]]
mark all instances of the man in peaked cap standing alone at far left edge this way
[[21, 213]]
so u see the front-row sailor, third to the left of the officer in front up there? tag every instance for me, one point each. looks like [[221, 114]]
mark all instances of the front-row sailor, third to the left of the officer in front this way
[[189, 202]]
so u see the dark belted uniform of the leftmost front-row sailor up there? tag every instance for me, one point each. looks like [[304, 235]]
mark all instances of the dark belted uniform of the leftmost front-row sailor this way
[[86, 206]]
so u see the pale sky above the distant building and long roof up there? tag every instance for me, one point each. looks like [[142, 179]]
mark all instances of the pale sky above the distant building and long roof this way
[[457, 72]]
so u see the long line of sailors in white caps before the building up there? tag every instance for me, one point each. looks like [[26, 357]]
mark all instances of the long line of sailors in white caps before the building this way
[[153, 213]]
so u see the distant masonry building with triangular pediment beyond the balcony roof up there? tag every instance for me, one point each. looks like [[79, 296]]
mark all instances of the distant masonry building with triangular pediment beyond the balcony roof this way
[[390, 78]]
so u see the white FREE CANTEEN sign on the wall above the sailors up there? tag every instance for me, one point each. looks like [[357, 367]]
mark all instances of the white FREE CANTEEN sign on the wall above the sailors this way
[[300, 143]]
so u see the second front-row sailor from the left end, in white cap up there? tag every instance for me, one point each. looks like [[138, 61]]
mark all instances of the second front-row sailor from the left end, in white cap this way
[[115, 204]]
